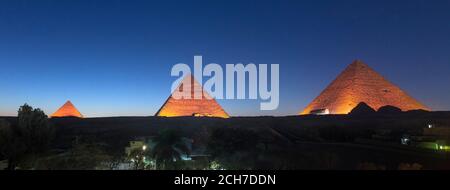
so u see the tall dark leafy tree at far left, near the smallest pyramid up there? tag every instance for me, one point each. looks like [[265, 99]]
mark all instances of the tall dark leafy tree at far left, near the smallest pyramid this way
[[26, 141]]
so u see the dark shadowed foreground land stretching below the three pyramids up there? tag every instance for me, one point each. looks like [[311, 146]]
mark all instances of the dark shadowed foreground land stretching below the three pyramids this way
[[408, 140]]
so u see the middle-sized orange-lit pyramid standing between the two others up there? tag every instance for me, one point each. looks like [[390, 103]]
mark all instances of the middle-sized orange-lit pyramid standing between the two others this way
[[204, 107]]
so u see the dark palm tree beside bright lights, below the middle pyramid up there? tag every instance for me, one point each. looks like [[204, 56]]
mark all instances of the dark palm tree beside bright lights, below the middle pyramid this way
[[169, 148]]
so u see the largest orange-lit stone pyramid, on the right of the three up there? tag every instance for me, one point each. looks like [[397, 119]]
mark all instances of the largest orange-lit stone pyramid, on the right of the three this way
[[359, 83]]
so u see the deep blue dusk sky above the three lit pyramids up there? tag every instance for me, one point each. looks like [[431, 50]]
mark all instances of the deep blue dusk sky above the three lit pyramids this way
[[113, 57]]
